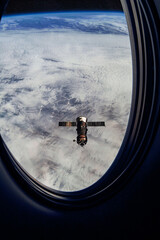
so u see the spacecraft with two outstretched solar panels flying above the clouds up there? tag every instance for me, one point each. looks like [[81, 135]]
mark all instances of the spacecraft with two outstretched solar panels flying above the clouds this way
[[81, 124]]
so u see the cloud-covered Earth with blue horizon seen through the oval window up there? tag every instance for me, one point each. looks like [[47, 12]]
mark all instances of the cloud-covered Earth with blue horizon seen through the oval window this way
[[54, 68]]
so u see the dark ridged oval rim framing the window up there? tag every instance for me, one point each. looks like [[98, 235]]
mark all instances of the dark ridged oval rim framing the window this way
[[143, 121]]
